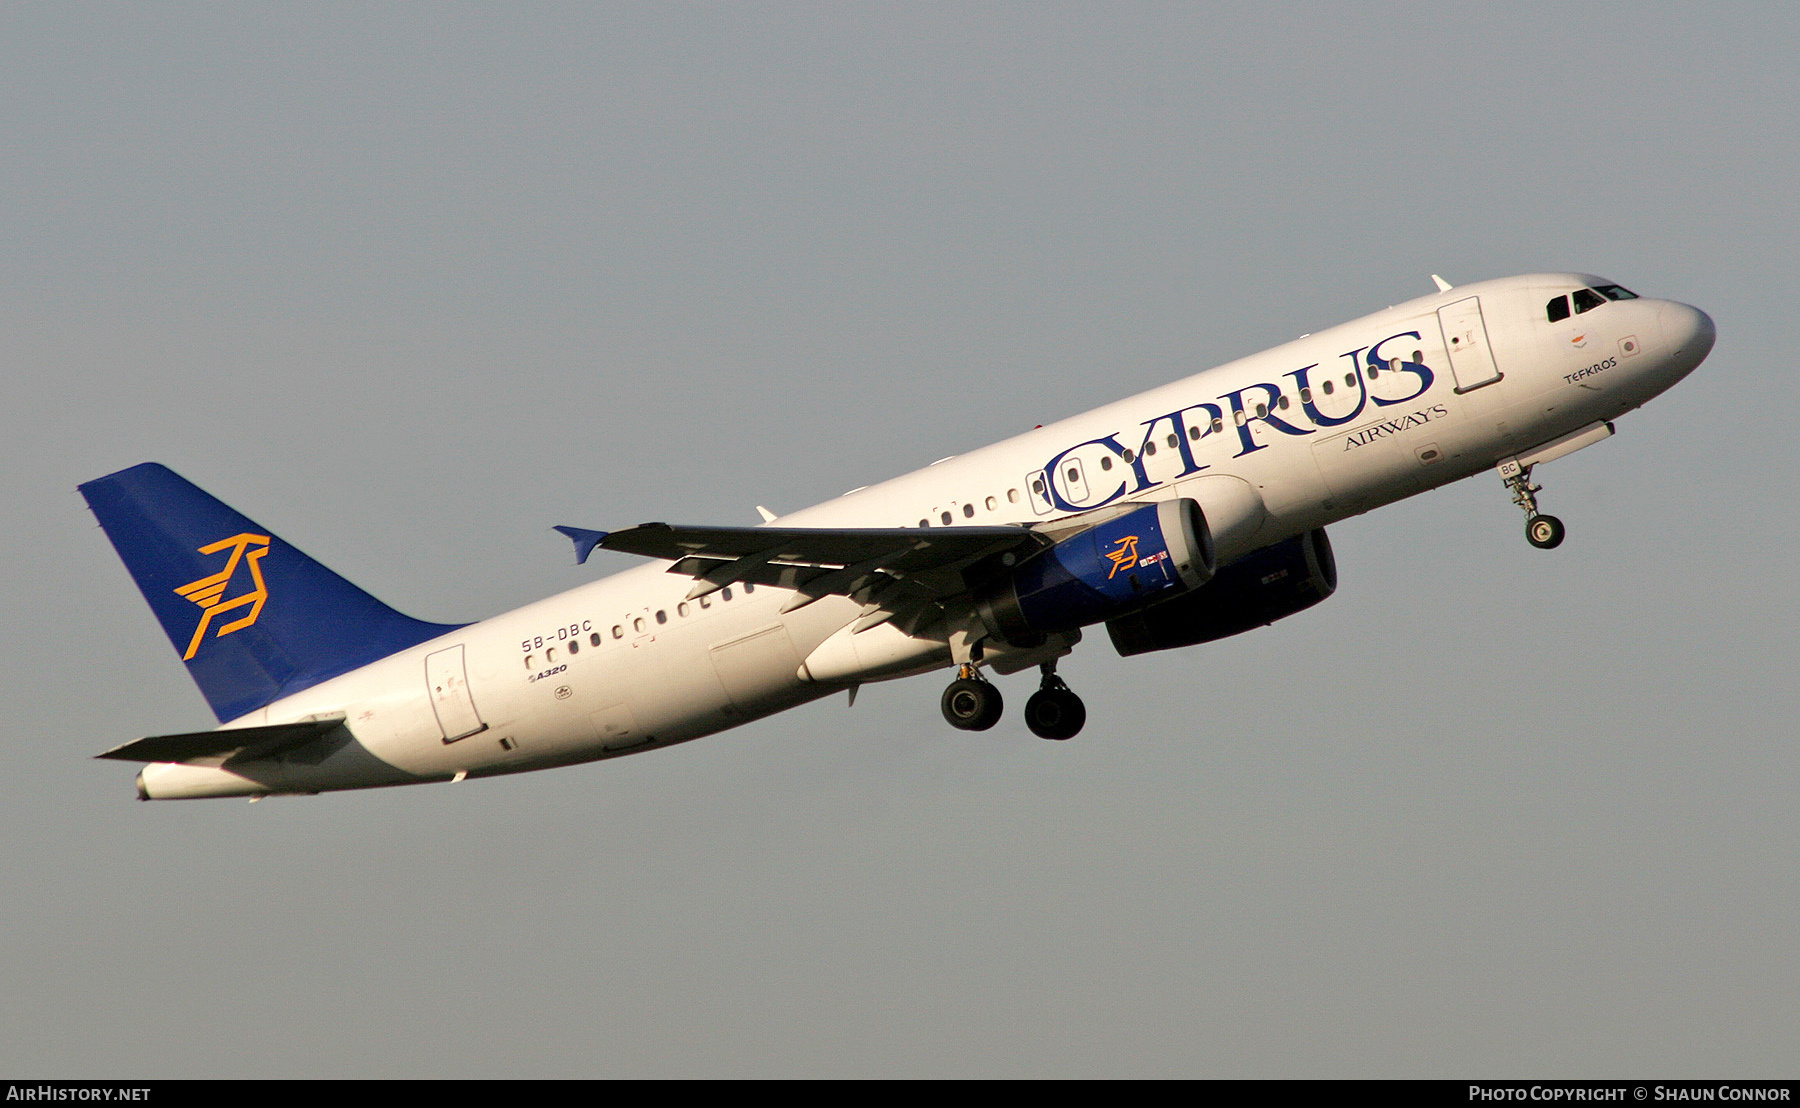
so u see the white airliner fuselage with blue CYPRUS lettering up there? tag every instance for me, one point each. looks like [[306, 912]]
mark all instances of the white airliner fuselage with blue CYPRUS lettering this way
[[1273, 445]]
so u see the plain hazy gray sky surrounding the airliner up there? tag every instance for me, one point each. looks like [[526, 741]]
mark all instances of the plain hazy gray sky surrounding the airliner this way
[[413, 283]]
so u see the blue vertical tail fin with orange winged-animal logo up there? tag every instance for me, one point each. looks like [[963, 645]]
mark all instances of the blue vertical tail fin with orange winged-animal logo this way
[[253, 618]]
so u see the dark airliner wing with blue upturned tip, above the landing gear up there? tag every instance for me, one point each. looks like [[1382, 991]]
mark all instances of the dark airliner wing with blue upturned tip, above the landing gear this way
[[901, 575]]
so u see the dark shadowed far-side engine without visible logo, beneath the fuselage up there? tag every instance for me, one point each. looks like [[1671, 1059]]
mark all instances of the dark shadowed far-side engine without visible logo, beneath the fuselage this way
[[1255, 591]]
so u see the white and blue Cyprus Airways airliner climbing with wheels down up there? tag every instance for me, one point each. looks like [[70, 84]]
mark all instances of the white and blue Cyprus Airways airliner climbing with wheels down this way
[[1176, 517]]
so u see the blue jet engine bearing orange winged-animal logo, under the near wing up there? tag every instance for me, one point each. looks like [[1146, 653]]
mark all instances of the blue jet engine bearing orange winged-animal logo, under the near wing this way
[[1149, 555]]
